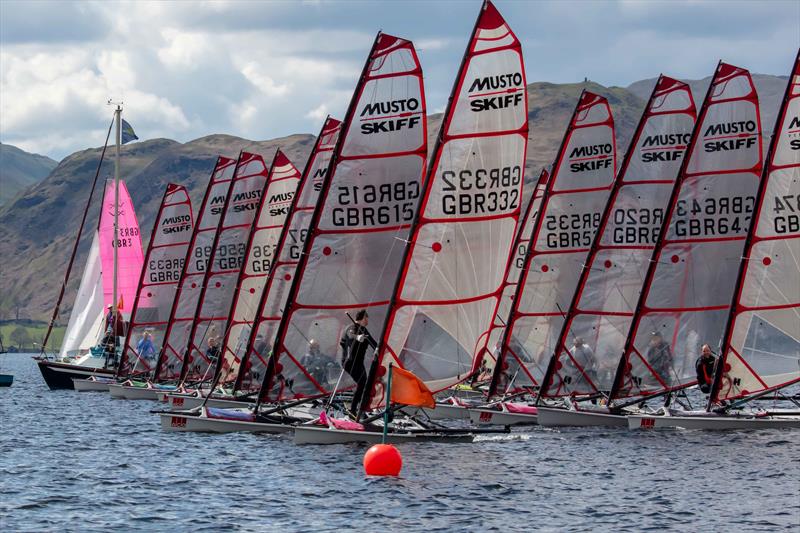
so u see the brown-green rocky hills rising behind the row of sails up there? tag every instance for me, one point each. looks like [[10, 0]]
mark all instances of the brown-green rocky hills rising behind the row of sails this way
[[40, 225]]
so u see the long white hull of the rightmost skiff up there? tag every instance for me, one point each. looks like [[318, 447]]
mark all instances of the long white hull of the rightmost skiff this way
[[712, 422]]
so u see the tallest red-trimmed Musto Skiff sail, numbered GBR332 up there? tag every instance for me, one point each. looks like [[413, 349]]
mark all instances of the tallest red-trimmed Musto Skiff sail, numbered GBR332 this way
[[453, 273]]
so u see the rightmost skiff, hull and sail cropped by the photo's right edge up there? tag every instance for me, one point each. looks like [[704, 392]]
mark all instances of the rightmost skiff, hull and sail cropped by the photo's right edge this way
[[760, 352]]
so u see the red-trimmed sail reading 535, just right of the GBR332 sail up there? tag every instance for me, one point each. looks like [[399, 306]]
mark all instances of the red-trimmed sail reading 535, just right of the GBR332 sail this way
[[573, 203]]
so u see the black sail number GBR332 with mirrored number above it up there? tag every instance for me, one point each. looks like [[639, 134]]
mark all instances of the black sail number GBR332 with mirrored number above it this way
[[482, 191]]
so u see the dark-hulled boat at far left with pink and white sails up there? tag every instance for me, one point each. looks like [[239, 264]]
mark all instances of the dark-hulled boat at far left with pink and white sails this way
[[109, 280]]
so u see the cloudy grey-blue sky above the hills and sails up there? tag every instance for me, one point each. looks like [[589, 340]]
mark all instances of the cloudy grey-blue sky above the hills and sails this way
[[261, 70]]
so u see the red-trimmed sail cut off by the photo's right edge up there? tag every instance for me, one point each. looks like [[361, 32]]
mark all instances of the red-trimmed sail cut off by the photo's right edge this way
[[763, 346]]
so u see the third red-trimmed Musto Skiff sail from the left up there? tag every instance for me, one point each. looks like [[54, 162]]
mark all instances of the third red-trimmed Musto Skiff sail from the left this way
[[227, 257]]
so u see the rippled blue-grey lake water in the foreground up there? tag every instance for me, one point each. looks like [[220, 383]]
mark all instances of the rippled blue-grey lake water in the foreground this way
[[85, 462]]
